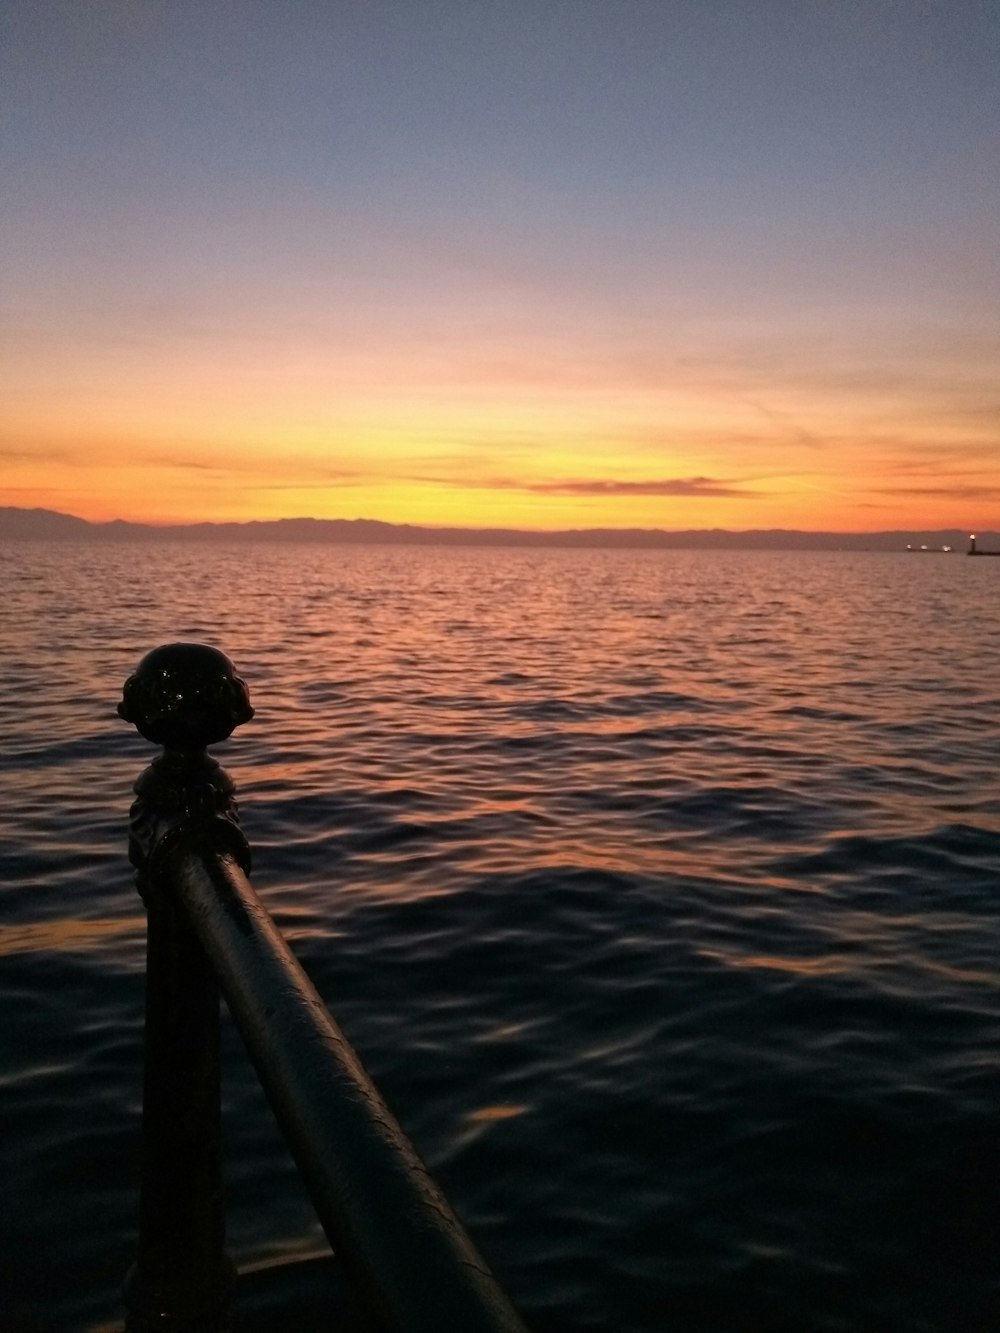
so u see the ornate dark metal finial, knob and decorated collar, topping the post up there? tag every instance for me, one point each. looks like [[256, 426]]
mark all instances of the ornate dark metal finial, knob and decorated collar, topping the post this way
[[185, 698]]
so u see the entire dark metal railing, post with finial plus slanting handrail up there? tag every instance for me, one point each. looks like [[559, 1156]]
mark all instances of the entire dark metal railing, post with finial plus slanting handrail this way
[[410, 1262]]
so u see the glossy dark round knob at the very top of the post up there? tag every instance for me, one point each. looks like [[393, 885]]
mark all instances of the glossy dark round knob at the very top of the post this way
[[185, 698]]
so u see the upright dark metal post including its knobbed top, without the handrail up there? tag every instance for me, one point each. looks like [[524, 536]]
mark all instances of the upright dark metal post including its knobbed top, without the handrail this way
[[185, 698]]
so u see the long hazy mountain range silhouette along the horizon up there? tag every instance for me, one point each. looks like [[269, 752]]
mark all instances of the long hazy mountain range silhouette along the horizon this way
[[54, 527]]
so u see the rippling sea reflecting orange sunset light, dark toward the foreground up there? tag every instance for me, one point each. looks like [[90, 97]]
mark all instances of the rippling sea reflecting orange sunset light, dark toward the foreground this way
[[658, 891]]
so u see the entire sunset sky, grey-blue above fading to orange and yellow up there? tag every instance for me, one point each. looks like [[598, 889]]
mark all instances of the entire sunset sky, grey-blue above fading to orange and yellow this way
[[523, 263]]
